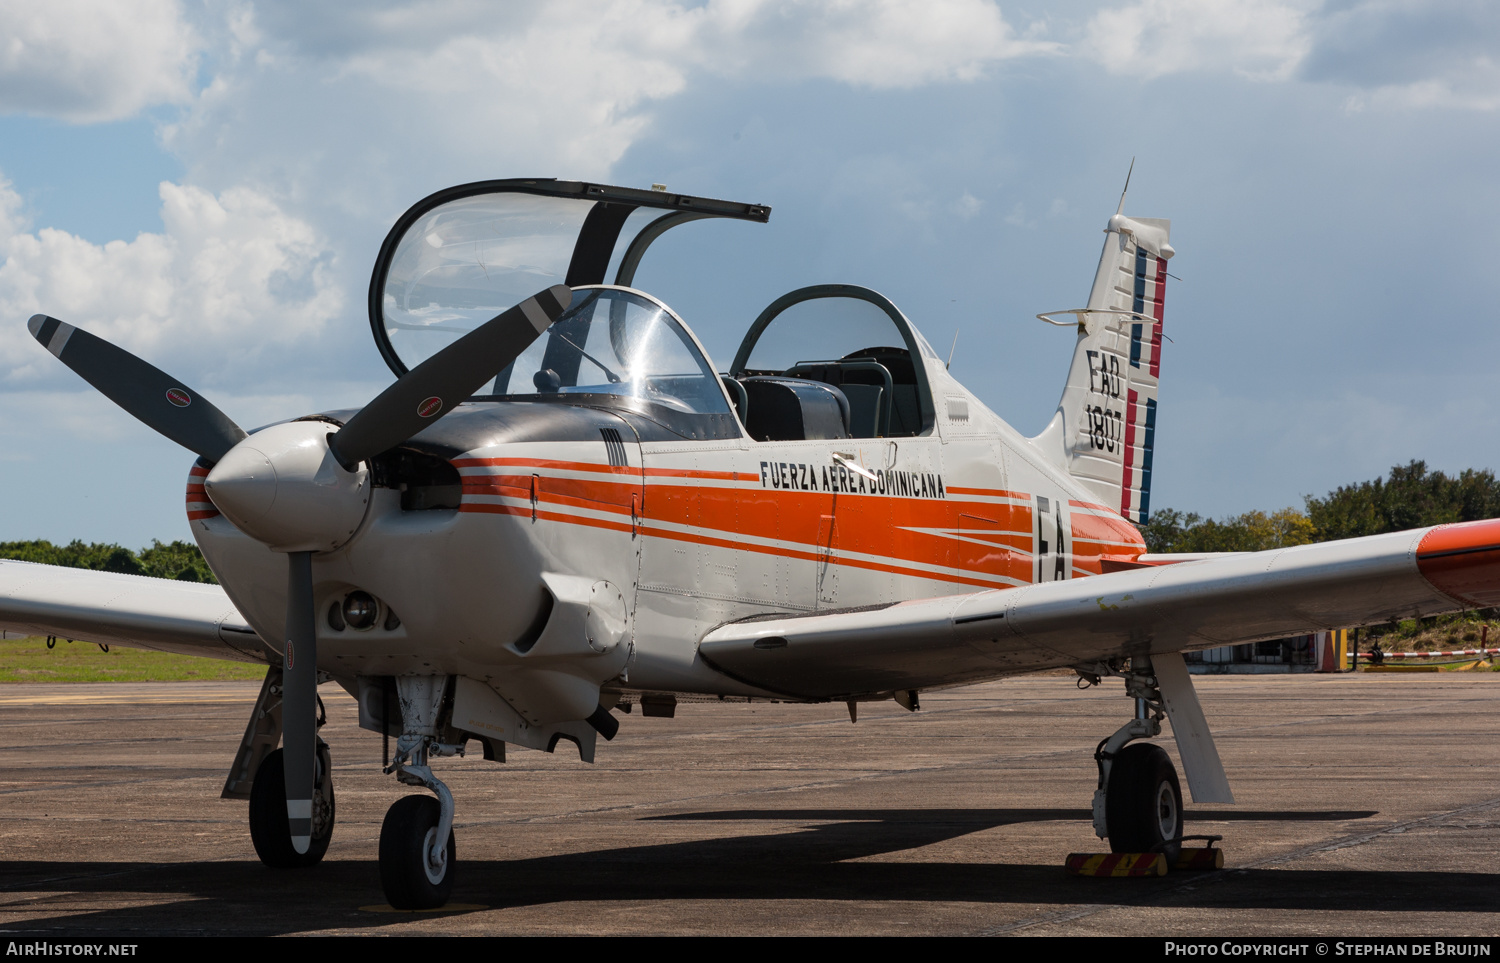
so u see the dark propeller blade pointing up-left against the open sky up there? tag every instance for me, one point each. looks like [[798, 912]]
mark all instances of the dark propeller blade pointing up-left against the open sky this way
[[149, 394]]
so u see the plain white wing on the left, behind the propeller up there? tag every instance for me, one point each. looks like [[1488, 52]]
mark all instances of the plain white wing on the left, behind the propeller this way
[[125, 610]]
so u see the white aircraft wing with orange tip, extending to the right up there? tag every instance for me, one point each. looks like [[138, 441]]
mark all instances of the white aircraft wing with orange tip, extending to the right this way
[[1201, 604]]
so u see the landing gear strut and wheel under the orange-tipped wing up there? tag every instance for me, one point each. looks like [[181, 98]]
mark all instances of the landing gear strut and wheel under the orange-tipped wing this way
[[1138, 805]]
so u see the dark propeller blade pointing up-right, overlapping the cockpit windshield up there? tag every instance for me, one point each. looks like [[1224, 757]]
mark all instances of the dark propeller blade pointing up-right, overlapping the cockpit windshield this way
[[452, 376]]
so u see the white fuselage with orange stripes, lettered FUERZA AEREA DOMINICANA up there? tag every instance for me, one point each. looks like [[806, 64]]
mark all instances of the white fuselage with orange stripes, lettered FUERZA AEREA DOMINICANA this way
[[503, 509]]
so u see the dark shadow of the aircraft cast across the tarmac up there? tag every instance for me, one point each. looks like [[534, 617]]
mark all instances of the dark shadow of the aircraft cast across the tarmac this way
[[829, 862]]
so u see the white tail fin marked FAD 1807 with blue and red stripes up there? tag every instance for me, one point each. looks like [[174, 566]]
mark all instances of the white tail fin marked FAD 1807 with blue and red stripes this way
[[1106, 422]]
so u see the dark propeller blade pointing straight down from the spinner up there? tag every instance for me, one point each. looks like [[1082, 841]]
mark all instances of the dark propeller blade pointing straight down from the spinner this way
[[301, 700]]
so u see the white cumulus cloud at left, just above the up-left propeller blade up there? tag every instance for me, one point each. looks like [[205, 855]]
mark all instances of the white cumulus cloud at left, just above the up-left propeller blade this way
[[229, 277]]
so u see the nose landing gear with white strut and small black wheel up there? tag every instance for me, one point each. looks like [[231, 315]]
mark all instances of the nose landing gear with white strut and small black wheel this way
[[416, 841]]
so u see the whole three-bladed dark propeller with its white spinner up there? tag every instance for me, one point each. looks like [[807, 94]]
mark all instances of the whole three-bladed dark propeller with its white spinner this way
[[278, 487]]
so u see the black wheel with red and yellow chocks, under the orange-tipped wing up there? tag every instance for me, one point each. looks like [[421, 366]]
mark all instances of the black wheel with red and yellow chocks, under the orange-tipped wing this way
[[1144, 802]]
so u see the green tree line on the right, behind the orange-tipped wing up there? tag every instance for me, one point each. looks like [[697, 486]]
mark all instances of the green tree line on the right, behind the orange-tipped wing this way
[[1411, 497]]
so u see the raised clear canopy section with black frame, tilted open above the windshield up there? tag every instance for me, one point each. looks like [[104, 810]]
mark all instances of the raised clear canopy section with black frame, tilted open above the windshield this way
[[466, 254]]
